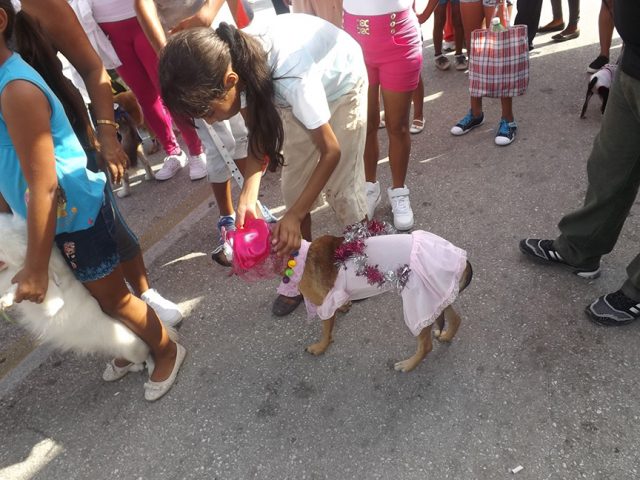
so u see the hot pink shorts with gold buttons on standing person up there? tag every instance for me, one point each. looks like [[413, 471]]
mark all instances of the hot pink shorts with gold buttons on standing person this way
[[392, 48]]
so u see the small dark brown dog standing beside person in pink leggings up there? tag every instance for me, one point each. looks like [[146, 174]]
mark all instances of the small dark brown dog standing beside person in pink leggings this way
[[128, 116]]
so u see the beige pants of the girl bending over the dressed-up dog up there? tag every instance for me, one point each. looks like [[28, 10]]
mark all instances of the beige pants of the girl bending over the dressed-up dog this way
[[345, 189]]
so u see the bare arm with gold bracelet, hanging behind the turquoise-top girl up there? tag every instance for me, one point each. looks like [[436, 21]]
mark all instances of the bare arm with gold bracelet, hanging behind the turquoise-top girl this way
[[61, 25]]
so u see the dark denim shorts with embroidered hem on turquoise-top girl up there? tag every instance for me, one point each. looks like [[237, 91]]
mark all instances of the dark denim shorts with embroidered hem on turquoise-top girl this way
[[92, 254]]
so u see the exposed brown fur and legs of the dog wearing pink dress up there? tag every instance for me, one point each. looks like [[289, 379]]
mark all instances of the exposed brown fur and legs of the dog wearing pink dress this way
[[318, 279]]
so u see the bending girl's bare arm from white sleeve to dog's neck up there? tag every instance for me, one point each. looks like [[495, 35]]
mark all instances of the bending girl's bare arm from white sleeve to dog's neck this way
[[287, 231]]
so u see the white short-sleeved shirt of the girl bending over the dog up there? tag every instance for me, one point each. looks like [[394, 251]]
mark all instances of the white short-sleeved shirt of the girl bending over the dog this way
[[314, 63]]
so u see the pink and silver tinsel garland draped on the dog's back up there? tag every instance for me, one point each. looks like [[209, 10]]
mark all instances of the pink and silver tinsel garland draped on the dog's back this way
[[353, 249]]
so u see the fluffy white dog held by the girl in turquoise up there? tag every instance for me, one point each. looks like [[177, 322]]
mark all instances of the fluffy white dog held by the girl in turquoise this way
[[69, 318]]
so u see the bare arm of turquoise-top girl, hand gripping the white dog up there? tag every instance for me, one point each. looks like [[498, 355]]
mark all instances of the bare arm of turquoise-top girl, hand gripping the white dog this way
[[30, 133]]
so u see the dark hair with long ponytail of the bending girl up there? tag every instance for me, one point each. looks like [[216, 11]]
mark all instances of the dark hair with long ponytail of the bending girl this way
[[192, 68]]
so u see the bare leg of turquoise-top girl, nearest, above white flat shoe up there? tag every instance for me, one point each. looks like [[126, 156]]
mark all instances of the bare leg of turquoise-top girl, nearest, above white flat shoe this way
[[115, 300]]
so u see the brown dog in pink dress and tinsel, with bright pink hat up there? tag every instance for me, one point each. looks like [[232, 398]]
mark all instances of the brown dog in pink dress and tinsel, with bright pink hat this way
[[426, 270]]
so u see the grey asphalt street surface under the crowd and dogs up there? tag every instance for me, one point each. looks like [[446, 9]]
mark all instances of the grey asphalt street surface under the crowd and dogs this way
[[528, 381]]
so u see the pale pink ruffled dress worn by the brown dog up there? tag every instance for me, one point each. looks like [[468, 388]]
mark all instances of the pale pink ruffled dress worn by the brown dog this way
[[436, 267]]
